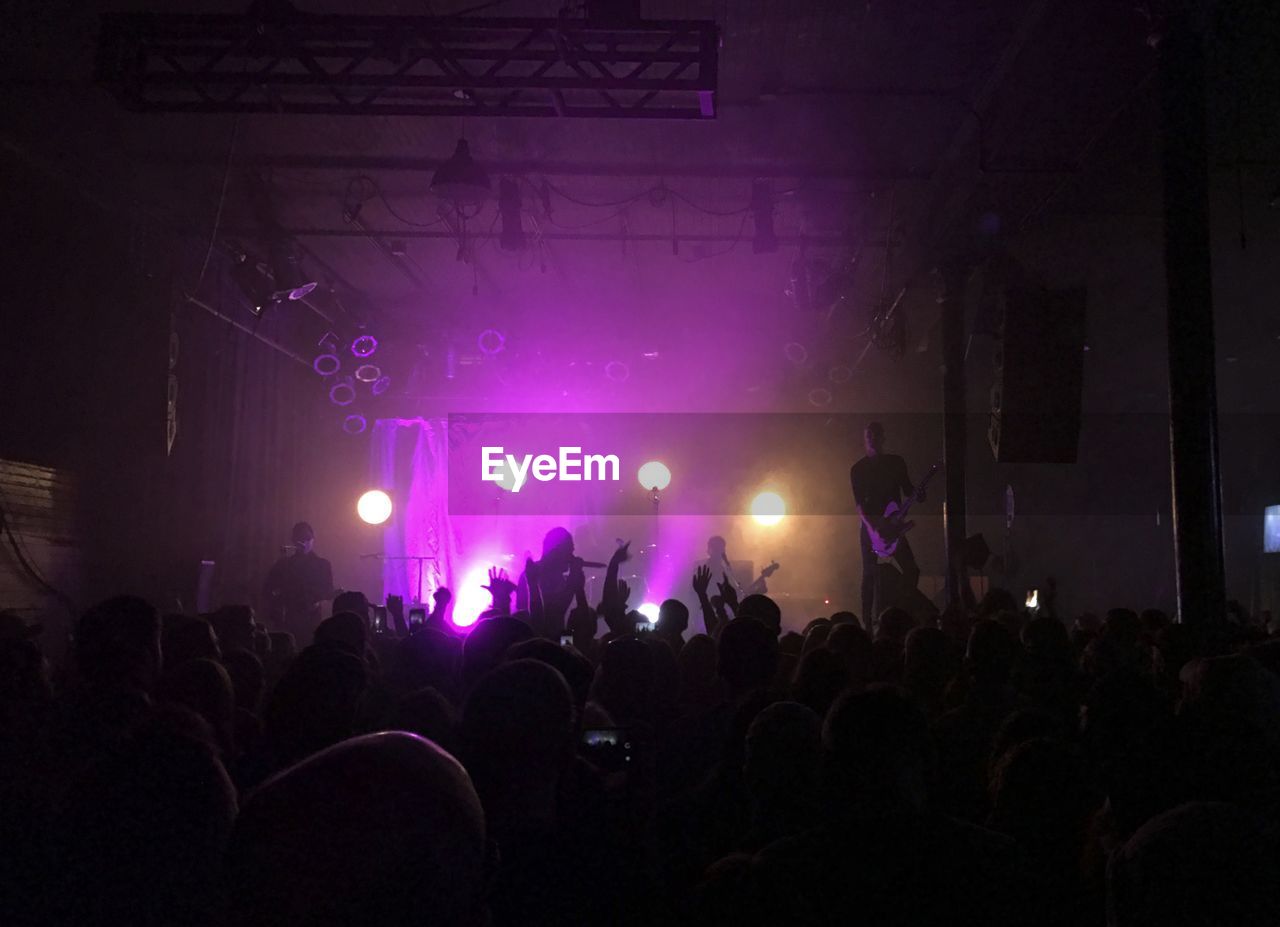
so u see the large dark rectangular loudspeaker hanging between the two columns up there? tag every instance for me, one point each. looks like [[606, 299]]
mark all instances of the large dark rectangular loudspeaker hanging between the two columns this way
[[1040, 367]]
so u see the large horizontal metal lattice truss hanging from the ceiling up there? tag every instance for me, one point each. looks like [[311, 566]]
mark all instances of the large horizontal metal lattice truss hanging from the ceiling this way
[[409, 66]]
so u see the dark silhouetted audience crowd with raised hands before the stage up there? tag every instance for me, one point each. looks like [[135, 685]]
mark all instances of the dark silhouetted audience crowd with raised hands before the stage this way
[[559, 765]]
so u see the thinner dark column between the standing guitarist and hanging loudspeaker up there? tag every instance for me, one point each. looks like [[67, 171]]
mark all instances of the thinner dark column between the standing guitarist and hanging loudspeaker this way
[[956, 437]]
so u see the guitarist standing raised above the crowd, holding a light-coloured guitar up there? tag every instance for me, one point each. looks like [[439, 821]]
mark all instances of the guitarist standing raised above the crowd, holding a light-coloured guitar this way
[[880, 481]]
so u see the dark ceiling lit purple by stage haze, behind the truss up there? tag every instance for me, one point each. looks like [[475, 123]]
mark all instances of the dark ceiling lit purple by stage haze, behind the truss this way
[[889, 131]]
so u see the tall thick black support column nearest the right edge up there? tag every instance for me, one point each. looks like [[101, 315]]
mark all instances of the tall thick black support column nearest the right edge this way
[[1192, 386]]
